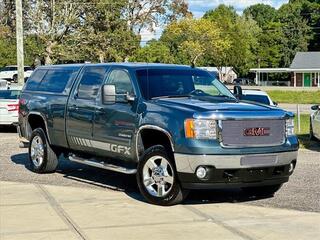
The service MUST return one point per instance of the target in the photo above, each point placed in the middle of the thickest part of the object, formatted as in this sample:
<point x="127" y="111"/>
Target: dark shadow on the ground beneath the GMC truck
<point x="99" y="178"/>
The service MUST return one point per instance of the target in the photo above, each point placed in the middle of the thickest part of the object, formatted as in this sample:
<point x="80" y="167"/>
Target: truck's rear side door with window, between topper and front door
<point x="81" y="107"/>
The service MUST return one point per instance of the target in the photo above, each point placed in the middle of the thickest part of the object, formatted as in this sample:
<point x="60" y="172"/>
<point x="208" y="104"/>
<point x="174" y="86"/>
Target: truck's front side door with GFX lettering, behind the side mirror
<point x="115" y="124"/>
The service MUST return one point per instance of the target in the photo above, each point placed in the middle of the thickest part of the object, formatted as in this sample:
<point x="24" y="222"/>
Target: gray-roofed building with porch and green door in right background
<point x="304" y="71"/>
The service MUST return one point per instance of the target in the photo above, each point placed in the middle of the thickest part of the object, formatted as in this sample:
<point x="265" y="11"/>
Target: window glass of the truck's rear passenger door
<point x="91" y="81"/>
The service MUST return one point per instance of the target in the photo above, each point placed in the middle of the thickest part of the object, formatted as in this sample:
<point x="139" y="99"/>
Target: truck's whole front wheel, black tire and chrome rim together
<point x="157" y="178"/>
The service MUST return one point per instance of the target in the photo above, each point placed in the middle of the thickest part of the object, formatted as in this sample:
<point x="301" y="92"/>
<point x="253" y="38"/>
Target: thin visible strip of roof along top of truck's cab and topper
<point x="126" y="65"/>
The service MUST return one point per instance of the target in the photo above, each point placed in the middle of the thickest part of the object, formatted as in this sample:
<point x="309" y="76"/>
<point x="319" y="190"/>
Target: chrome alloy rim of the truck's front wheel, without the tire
<point x="158" y="176"/>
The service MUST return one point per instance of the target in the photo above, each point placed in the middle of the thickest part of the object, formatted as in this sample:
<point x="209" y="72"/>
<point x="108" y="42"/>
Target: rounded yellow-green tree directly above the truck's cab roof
<point x="154" y="52"/>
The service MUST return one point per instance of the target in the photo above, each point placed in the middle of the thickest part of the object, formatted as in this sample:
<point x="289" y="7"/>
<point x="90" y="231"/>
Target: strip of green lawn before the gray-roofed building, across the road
<point x="301" y="97"/>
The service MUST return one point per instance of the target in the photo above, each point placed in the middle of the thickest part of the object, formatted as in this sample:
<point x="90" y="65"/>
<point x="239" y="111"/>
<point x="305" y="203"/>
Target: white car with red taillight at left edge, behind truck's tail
<point x="9" y="106"/>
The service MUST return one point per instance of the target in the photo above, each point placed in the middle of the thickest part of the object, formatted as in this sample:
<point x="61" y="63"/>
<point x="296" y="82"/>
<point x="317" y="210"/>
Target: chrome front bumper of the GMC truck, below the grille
<point x="186" y="163"/>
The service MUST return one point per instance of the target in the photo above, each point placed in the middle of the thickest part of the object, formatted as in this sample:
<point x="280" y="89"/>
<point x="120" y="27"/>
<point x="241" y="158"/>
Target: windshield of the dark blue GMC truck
<point x="164" y="83"/>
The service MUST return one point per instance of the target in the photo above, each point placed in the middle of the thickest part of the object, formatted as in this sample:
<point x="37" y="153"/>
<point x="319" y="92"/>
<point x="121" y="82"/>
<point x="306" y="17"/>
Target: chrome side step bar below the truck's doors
<point x="103" y="165"/>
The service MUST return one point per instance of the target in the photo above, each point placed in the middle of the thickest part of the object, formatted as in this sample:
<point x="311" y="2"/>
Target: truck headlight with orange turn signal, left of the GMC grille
<point x="200" y="129"/>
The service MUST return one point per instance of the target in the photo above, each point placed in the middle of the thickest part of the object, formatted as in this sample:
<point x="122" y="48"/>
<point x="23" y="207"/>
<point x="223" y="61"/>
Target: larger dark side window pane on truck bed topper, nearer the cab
<point x="55" y="81"/>
